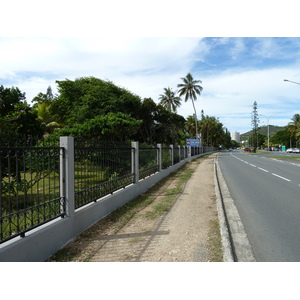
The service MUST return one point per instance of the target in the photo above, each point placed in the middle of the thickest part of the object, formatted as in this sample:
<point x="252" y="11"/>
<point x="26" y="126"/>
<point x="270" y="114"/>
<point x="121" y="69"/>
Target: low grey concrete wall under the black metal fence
<point x="40" y="243"/>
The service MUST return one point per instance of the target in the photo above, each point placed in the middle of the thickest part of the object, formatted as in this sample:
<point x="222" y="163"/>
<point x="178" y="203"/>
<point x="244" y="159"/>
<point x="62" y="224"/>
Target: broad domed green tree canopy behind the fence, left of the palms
<point x="96" y="108"/>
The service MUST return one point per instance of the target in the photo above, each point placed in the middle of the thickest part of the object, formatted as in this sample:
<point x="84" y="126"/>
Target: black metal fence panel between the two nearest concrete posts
<point x="100" y="169"/>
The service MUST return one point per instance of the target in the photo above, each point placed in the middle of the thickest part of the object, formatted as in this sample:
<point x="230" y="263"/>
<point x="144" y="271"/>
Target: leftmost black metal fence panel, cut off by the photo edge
<point x="29" y="186"/>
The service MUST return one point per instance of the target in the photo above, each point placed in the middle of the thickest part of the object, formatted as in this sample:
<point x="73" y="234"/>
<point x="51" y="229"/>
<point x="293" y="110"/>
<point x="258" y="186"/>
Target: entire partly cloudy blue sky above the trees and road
<point x="234" y="72"/>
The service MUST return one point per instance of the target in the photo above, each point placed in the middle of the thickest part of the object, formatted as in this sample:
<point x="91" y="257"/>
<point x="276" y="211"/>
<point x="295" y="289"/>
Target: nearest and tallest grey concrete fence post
<point x="67" y="174"/>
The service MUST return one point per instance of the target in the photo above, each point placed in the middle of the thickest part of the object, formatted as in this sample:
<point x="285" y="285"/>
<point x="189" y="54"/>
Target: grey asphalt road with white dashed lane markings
<point x="266" y="192"/>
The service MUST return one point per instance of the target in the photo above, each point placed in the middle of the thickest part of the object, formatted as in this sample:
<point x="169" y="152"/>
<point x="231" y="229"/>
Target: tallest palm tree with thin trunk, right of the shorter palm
<point x="190" y="88"/>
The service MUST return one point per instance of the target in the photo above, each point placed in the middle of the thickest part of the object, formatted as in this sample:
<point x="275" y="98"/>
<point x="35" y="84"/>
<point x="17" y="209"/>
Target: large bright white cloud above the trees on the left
<point x="144" y="66"/>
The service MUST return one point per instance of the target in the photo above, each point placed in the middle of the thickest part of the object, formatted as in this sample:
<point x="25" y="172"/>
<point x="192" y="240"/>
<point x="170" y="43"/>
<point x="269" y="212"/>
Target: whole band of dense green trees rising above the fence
<point x="89" y="108"/>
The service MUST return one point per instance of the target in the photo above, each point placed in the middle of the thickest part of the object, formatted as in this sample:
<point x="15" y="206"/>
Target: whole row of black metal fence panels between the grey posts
<point x="32" y="179"/>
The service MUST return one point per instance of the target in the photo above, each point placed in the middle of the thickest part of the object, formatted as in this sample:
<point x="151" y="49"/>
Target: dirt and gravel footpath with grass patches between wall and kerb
<point x="176" y="220"/>
